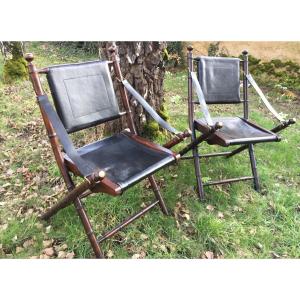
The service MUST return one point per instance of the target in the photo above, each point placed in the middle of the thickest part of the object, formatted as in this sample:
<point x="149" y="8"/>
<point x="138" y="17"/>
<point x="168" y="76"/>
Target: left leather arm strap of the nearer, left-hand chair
<point x="85" y="167"/>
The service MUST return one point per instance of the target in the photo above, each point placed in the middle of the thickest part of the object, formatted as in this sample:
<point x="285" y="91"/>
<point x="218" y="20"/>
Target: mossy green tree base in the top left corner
<point x="14" y="62"/>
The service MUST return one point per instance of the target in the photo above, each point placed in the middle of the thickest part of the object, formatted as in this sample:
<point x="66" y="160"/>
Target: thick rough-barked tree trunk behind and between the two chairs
<point x="142" y="65"/>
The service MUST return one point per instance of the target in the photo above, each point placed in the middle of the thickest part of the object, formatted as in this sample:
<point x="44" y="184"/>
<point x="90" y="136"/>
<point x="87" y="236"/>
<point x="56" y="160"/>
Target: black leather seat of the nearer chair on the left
<point x="126" y="158"/>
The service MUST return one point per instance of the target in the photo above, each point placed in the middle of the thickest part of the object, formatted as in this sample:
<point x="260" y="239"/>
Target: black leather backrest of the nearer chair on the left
<point x="83" y="94"/>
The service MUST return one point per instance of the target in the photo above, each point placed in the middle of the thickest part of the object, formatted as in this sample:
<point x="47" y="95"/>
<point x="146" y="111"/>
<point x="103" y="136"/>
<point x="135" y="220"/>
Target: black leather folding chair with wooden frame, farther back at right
<point x="217" y="81"/>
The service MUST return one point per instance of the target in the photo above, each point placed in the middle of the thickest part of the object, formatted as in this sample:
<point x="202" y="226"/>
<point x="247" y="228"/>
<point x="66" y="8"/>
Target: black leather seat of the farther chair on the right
<point x="236" y="131"/>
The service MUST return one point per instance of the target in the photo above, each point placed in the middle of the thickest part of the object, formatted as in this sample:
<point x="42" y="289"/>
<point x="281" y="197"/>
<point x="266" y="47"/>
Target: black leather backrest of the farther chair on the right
<point x="219" y="78"/>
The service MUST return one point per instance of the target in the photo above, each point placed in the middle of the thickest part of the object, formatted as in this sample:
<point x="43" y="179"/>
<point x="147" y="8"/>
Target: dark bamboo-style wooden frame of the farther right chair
<point x="195" y="152"/>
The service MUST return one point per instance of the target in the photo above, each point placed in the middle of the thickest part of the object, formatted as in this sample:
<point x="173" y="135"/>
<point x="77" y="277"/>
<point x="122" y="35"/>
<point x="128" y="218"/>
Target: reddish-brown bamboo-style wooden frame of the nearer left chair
<point x="95" y="182"/>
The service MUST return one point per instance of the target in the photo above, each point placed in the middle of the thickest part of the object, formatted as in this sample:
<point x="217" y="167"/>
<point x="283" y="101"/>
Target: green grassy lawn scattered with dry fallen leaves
<point x="234" y="222"/>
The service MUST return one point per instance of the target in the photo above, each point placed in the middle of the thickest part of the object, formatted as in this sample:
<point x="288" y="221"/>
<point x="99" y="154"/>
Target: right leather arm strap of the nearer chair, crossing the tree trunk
<point x="148" y="108"/>
